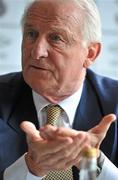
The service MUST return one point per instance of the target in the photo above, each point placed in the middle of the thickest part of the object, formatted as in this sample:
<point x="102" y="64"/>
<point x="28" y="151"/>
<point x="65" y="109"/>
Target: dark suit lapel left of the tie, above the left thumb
<point x="23" y="109"/>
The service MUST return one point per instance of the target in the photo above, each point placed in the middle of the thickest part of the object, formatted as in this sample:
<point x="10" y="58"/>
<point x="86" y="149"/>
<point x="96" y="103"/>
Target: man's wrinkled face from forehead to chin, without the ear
<point x="52" y="51"/>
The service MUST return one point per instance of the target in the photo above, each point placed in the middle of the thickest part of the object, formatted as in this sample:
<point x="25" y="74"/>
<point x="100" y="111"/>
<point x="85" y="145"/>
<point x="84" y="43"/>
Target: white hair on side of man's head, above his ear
<point x="91" y="29"/>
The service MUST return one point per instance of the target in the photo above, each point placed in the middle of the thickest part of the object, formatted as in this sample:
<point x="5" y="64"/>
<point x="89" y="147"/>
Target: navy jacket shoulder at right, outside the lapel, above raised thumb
<point x="106" y="90"/>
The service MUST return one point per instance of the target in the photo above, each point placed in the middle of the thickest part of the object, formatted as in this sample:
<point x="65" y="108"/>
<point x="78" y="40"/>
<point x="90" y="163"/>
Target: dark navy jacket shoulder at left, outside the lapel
<point x="12" y="88"/>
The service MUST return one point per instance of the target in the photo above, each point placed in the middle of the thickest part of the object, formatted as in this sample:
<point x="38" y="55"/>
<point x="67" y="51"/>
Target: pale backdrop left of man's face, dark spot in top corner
<point x="11" y="35"/>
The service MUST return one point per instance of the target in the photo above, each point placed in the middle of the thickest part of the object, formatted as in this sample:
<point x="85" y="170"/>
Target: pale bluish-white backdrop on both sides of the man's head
<point x="10" y="36"/>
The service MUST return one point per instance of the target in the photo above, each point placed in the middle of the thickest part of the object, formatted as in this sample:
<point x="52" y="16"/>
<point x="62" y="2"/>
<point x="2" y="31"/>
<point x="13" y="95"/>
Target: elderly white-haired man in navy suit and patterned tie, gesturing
<point x="61" y="39"/>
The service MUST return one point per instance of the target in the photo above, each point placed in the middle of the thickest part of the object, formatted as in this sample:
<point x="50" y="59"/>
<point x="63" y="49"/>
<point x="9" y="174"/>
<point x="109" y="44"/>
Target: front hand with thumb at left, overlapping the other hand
<point x="43" y="154"/>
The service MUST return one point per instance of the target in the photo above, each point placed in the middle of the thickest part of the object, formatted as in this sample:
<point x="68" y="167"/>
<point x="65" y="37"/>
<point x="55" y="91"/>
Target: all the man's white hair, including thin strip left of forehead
<point x="88" y="17"/>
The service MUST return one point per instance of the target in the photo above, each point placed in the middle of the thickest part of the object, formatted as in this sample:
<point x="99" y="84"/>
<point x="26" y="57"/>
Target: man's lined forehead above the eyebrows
<point x="49" y="11"/>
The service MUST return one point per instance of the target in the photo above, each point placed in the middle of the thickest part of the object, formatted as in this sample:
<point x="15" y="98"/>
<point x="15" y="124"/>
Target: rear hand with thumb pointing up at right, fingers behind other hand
<point x="93" y="137"/>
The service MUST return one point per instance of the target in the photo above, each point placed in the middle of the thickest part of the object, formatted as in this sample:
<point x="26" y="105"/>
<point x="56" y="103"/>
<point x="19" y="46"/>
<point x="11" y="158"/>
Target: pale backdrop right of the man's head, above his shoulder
<point x="107" y="63"/>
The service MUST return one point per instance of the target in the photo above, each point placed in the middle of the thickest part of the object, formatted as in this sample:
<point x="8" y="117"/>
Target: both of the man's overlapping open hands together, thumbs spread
<point x="59" y="148"/>
